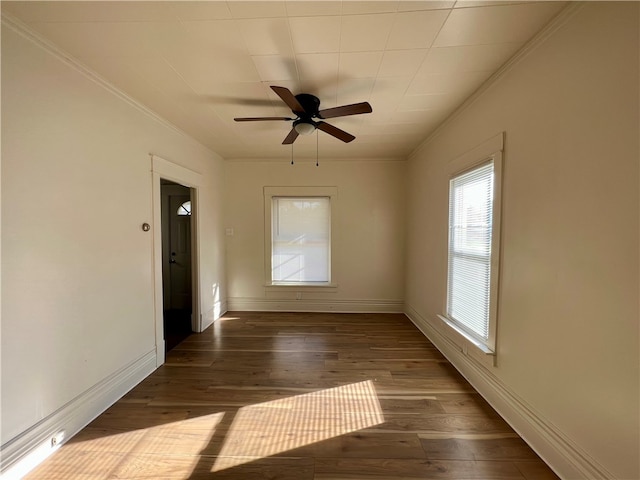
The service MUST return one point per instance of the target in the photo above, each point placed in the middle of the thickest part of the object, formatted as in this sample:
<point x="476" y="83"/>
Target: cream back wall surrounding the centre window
<point x="368" y="235"/>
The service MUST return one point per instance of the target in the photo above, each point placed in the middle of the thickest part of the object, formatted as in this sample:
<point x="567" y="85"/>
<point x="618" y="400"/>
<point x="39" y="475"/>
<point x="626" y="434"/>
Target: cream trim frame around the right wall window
<point x="487" y="151"/>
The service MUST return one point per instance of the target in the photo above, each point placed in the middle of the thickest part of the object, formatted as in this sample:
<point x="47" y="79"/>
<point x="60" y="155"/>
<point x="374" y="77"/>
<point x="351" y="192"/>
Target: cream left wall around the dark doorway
<point x="77" y="270"/>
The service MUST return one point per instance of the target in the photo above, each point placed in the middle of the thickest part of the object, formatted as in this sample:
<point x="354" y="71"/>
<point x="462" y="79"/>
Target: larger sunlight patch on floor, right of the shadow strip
<point x="269" y="428"/>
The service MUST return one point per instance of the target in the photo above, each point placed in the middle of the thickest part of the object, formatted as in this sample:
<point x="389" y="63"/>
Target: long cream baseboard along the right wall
<point x="562" y="454"/>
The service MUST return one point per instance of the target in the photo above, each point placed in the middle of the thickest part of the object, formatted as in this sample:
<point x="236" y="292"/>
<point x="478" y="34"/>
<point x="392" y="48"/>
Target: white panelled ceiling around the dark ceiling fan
<point x="200" y="64"/>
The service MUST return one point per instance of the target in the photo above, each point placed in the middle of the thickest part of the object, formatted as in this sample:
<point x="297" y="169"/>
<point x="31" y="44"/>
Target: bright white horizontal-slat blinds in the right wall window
<point x="470" y="235"/>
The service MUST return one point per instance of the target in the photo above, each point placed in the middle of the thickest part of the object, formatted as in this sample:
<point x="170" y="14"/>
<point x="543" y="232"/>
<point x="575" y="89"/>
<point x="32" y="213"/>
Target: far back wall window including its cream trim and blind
<point x="298" y="236"/>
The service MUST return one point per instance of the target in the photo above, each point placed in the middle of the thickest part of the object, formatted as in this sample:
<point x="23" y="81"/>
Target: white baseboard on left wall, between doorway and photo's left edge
<point x="24" y="452"/>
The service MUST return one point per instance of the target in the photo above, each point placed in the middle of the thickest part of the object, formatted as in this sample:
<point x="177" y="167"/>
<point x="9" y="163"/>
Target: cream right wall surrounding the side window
<point x="568" y="309"/>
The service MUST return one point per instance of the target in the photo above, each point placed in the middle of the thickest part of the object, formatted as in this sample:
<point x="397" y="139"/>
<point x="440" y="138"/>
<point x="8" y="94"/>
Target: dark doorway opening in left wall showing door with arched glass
<point x="177" y="285"/>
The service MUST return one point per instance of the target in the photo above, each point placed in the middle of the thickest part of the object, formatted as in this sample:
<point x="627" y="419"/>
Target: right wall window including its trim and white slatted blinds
<point x="473" y="248"/>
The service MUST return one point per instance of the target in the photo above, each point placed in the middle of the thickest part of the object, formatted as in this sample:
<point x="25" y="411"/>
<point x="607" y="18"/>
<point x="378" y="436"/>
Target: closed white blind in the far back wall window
<point x="301" y="239"/>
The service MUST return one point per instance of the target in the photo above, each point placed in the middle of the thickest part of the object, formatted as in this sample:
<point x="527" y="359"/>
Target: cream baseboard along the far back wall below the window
<point x="262" y="304"/>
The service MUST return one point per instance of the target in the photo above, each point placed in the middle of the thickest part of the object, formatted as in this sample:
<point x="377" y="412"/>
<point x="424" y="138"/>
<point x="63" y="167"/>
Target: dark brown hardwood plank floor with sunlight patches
<point x="300" y="396"/>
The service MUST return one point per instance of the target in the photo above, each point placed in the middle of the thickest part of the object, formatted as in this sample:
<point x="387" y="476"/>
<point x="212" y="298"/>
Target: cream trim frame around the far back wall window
<point x="269" y="193"/>
